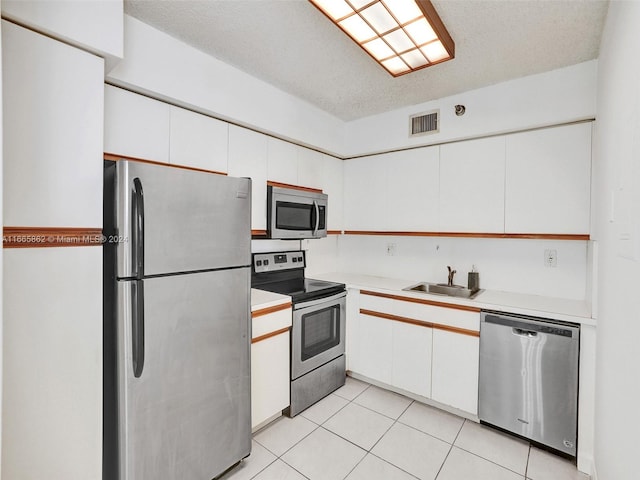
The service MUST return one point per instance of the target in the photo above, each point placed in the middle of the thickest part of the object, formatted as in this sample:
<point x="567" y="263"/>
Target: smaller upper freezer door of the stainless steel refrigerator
<point x="178" y="220"/>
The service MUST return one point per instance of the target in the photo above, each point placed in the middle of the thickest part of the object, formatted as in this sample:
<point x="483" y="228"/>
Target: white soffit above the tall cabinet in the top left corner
<point x="93" y="25"/>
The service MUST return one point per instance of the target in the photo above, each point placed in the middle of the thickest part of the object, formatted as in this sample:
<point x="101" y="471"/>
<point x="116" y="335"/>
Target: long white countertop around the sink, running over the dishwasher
<point x="567" y="310"/>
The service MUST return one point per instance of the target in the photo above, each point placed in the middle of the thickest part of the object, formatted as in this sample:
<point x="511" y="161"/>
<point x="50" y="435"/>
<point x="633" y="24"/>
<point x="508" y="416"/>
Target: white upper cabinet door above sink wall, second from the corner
<point x="412" y="192"/>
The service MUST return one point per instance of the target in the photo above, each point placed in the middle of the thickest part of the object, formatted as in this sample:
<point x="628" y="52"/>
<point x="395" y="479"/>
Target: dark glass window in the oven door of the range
<point x="320" y="331"/>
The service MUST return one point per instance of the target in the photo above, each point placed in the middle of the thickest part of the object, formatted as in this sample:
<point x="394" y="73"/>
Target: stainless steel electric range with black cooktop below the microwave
<point x="318" y="331"/>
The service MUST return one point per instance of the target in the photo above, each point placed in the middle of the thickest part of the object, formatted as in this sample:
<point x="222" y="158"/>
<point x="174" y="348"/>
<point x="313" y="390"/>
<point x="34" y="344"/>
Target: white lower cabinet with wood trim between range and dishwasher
<point x="417" y="347"/>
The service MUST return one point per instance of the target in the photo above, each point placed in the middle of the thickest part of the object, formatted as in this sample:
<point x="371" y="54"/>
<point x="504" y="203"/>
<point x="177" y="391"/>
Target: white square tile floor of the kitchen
<point x="362" y="432"/>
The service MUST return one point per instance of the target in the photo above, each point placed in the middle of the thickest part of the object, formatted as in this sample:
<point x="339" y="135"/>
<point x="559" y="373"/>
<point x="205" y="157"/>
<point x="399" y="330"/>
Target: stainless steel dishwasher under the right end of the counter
<point x="529" y="378"/>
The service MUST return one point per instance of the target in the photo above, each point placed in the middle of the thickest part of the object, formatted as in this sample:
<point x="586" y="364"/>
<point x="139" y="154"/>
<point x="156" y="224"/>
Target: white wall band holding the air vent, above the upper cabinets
<point x="559" y="96"/>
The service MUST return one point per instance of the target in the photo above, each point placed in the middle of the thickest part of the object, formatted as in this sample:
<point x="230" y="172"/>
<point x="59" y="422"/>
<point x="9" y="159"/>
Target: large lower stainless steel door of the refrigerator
<point x="187" y="415"/>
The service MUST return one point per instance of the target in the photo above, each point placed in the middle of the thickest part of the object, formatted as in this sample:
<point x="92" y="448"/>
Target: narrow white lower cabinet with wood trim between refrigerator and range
<point x="269" y="364"/>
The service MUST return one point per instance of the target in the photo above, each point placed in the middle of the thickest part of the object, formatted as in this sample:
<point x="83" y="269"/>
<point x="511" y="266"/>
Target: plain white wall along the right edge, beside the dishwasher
<point x="617" y="229"/>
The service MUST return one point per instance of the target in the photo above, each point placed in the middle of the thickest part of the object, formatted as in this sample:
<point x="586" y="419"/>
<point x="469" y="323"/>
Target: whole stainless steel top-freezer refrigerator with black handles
<point x="177" y="330"/>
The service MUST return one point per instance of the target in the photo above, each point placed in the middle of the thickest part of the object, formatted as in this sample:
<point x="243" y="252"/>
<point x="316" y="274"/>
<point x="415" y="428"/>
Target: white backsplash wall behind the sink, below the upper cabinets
<point x="513" y="265"/>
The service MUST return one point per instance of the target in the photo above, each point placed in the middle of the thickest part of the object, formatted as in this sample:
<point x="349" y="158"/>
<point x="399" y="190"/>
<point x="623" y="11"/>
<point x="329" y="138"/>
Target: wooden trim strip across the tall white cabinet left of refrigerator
<point x="41" y="237"/>
